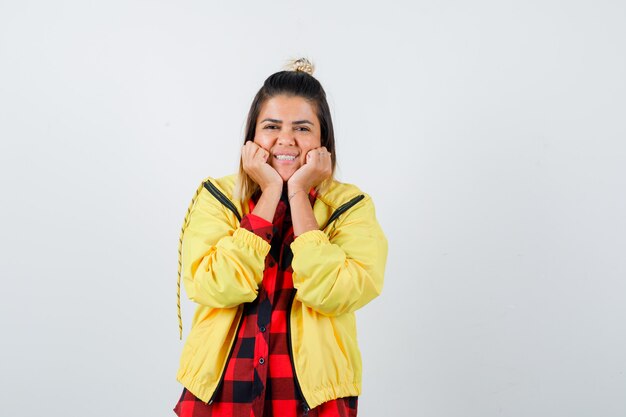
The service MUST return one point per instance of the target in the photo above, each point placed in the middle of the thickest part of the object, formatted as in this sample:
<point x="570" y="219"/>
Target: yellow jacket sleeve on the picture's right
<point x="341" y="274"/>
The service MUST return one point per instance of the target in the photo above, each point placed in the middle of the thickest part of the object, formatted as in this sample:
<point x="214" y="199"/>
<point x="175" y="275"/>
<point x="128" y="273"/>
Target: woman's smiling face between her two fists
<point x="287" y="128"/>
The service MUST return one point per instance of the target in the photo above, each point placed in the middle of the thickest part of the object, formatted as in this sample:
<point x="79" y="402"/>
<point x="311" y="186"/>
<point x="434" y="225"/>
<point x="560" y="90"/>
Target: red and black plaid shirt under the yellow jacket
<point x="259" y="379"/>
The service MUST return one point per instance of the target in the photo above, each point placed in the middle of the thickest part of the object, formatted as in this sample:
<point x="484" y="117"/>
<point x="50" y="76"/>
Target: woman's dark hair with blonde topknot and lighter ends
<point x="296" y="80"/>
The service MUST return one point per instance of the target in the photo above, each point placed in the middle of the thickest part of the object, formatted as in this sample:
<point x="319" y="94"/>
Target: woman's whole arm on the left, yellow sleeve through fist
<point x="223" y="264"/>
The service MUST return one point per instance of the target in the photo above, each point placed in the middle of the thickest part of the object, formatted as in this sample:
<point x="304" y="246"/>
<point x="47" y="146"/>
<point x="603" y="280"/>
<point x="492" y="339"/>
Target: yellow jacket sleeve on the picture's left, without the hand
<point x="222" y="264"/>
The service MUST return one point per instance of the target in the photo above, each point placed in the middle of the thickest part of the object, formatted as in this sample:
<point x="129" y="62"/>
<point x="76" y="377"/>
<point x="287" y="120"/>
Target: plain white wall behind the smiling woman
<point x="491" y="135"/>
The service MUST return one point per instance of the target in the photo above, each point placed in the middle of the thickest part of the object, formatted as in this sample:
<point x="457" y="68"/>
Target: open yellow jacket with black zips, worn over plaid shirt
<point x="336" y="270"/>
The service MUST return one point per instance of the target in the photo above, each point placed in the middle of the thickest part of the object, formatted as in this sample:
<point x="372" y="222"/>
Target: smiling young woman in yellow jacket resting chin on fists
<point x="278" y="258"/>
